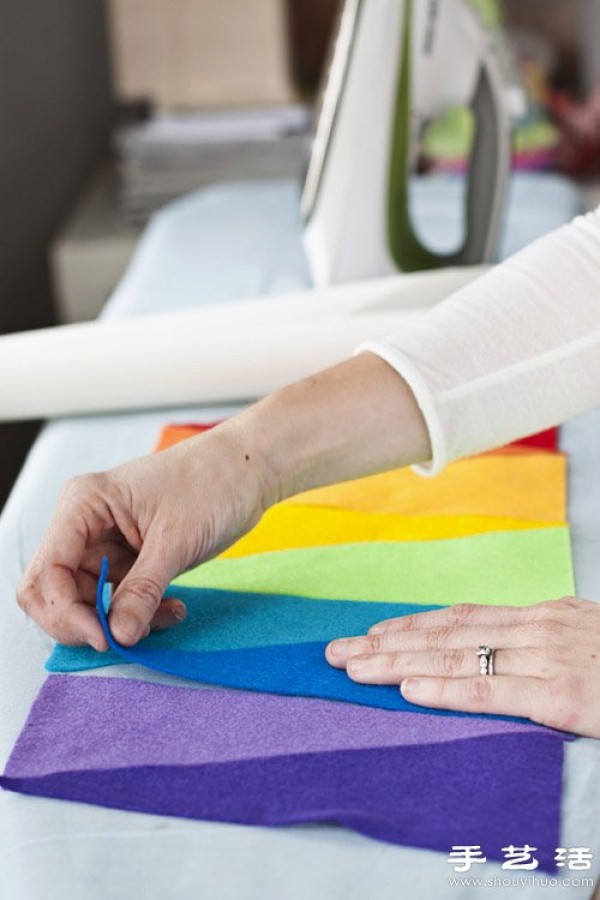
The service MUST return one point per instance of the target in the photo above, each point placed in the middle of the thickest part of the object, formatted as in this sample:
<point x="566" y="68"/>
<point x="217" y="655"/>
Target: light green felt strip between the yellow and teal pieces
<point x="512" y="567"/>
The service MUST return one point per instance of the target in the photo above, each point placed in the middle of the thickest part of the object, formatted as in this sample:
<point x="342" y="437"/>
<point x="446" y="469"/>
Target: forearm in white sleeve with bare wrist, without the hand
<point x="516" y="351"/>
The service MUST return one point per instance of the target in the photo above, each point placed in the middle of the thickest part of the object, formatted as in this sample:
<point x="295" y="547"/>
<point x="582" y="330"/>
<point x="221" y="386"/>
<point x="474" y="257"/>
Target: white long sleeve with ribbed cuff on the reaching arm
<point x="514" y="352"/>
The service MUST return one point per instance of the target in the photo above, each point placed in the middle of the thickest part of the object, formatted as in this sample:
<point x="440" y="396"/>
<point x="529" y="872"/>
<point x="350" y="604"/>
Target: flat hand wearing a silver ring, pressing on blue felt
<point x="547" y="660"/>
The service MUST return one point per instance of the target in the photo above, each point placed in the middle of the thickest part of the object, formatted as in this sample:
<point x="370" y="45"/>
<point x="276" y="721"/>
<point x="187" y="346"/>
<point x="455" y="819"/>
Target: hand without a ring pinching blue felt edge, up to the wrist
<point x="153" y="518"/>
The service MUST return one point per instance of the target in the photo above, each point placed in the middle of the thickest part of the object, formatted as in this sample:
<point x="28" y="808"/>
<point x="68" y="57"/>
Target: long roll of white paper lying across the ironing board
<point x="225" y="353"/>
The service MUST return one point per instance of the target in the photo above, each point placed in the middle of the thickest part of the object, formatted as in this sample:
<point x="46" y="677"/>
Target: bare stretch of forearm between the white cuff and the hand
<point x="354" y="419"/>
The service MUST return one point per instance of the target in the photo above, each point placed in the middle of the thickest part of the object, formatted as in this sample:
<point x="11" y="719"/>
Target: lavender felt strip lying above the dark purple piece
<point x="97" y="723"/>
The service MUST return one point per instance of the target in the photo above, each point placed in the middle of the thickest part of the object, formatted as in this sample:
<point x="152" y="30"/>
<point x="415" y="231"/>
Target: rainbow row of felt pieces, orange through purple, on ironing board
<point x="327" y="563"/>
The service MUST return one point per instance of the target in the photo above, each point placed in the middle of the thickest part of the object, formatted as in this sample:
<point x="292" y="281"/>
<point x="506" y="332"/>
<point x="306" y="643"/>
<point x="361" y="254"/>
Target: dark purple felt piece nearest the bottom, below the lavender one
<point x="488" y="791"/>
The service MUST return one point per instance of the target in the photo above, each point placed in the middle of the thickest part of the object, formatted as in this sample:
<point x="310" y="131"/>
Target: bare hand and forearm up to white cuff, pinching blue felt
<point x="157" y="516"/>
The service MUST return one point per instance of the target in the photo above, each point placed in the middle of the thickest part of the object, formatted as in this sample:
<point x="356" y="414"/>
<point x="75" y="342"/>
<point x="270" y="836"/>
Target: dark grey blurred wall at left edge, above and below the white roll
<point x="55" y="112"/>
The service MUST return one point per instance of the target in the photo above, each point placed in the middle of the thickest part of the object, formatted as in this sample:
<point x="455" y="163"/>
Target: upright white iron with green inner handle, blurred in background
<point x="396" y="65"/>
